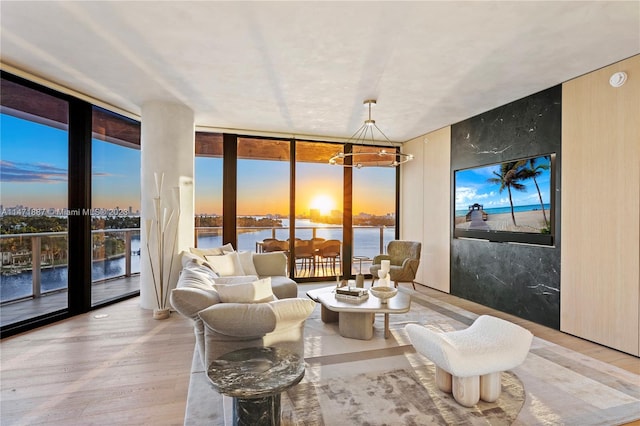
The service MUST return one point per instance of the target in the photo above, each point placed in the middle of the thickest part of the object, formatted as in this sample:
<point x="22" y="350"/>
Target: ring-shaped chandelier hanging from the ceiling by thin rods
<point x="365" y="155"/>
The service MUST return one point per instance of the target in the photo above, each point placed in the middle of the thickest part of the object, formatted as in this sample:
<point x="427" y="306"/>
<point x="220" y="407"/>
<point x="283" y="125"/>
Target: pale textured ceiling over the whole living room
<point x="305" y="68"/>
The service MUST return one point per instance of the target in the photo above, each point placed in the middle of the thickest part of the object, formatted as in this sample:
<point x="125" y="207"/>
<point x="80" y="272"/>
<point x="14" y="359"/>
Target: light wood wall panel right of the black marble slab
<point x="600" y="277"/>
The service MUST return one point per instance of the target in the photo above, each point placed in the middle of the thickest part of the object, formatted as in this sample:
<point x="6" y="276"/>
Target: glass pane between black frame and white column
<point x="115" y="202"/>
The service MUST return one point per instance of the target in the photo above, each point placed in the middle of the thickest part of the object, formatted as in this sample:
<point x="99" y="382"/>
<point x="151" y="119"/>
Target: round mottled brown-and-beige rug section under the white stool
<point x="397" y="397"/>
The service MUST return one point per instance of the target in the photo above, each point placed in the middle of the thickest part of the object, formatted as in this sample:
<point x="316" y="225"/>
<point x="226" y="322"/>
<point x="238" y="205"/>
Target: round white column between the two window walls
<point x="167" y="147"/>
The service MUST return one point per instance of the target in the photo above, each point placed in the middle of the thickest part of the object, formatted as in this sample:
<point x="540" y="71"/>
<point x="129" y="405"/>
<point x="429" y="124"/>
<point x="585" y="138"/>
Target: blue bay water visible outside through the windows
<point x="366" y="243"/>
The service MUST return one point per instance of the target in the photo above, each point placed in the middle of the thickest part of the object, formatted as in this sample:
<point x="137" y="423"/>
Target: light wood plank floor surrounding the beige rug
<point x="118" y="366"/>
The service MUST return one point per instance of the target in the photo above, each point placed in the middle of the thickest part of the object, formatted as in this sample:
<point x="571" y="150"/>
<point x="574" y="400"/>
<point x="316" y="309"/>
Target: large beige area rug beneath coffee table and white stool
<point x="384" y="381"/>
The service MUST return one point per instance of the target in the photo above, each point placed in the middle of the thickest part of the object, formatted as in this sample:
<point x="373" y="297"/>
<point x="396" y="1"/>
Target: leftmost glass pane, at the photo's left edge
<point x="34" y="152"/>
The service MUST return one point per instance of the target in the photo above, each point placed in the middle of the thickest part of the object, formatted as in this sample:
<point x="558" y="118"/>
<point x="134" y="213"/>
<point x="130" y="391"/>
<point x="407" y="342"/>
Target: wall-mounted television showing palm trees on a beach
<point x="511" y="201"/>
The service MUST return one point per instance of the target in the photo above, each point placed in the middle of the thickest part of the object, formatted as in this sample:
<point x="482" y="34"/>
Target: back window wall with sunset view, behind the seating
<point x="341" y="217"/>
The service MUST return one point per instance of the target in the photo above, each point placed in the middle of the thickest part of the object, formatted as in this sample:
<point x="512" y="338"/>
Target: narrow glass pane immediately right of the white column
<point x="208" y="190"/>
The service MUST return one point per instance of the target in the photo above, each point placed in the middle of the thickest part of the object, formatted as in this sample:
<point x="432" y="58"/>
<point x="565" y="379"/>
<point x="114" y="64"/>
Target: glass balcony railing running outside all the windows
<point x="25" y="257"/>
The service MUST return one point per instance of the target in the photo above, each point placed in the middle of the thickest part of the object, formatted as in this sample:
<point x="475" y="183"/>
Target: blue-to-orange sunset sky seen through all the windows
<point x="35" y="164"/>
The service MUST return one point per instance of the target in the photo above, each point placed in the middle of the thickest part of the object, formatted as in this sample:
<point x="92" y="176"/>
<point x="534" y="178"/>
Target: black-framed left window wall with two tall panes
<point x="69" y="201"/>
